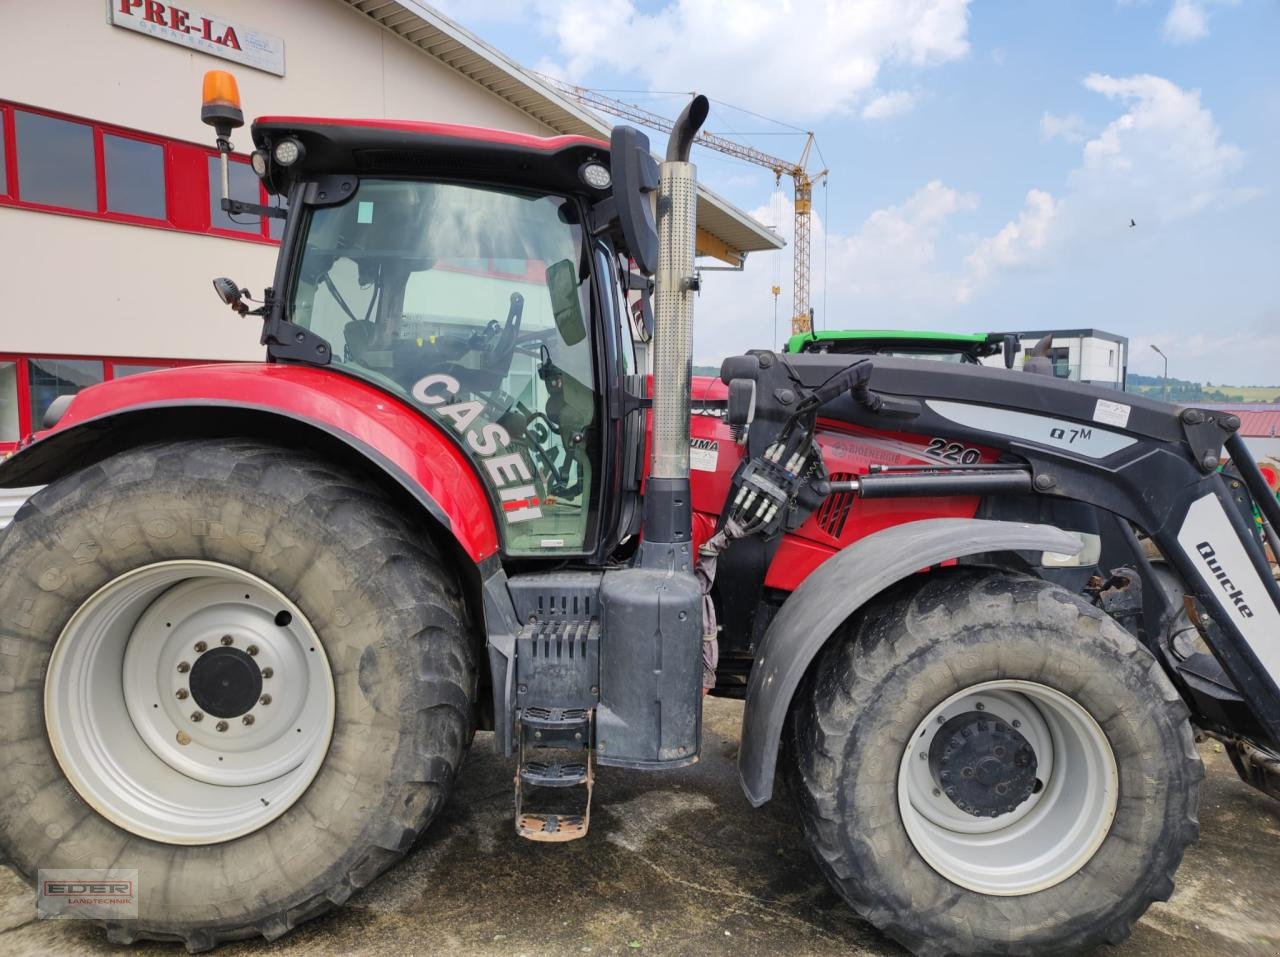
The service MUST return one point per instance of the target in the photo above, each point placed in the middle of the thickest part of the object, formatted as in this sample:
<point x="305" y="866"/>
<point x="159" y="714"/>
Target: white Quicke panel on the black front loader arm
<point x="1224" y="566"/>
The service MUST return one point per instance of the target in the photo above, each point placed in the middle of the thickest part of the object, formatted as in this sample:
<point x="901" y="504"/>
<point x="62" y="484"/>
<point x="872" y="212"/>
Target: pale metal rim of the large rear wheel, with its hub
<point x="136" y="708"/>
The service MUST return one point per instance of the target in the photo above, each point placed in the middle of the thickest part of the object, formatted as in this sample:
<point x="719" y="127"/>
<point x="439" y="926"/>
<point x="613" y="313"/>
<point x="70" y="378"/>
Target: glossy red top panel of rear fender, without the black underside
<point x="369" y="419"/>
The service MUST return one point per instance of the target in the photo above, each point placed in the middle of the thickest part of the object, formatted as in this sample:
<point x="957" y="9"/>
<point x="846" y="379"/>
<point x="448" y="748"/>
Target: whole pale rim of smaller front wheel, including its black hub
<point x="1008" y="787"/>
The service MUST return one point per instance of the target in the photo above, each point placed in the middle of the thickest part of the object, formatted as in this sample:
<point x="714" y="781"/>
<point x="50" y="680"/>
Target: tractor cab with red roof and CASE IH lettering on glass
<point x="478" y="278"/>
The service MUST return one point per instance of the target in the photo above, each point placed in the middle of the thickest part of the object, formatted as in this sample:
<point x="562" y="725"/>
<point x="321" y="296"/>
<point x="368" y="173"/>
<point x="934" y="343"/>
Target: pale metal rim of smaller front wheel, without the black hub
<point x="1053" y="832"/>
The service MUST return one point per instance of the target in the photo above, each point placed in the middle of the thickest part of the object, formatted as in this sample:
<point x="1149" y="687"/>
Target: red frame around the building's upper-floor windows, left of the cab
<point x="186" y="173"/>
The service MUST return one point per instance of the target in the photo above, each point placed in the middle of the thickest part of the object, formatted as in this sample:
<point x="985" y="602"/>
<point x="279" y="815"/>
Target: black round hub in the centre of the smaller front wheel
<point x="982" y="764"/>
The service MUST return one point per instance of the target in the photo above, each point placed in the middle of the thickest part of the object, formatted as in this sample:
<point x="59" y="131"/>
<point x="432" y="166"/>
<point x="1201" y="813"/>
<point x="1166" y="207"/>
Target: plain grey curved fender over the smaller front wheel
<point x="839" y="588"/>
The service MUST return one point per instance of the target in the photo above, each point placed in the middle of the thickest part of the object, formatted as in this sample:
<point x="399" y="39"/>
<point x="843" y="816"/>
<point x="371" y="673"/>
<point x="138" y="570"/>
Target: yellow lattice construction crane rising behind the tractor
<point x="804" y="181"/>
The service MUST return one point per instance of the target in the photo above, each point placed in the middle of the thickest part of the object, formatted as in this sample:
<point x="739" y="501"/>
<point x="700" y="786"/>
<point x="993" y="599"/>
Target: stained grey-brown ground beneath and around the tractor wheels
<point x="680" y="864"/>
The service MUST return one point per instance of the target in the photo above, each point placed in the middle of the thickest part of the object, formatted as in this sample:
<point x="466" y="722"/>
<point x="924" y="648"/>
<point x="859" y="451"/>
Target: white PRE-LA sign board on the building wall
<point x="202" y="31"/>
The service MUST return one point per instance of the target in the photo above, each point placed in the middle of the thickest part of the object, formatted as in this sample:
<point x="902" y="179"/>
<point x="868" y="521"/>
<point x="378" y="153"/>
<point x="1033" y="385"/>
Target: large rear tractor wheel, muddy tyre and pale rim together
<point x="231" y="668"/>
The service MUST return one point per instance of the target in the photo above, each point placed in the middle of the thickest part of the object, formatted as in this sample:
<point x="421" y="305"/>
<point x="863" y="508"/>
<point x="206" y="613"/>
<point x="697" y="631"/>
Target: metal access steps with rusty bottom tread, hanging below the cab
<point x="556" y="773"/>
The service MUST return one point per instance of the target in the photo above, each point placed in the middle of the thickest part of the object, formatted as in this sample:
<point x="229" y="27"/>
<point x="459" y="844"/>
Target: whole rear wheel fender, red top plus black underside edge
<point x="285" y="401"/>
